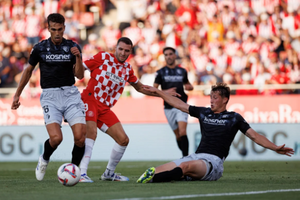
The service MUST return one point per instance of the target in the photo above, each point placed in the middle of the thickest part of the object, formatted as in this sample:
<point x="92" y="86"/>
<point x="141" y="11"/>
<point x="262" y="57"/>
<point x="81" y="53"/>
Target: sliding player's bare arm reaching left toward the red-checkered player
<point x="173" y="101"/>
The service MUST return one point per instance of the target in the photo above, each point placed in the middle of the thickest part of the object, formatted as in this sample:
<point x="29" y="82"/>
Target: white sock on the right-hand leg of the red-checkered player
<point x="115" y="157"/>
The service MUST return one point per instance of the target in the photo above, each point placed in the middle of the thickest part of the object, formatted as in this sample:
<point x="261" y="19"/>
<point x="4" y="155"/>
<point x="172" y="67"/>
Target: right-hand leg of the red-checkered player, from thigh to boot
<point x="117" y="132"/>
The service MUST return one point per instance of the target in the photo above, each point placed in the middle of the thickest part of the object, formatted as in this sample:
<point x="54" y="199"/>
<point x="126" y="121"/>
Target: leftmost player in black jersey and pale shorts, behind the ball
<point x="59" y="60"/>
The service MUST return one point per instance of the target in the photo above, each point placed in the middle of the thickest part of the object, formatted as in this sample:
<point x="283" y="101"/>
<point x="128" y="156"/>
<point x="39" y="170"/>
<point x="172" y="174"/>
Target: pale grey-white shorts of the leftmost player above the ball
<point x="64" y="102"/>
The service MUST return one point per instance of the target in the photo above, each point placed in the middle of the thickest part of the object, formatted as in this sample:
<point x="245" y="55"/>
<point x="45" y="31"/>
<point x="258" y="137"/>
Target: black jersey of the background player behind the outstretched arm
<point x="169" y="78"/>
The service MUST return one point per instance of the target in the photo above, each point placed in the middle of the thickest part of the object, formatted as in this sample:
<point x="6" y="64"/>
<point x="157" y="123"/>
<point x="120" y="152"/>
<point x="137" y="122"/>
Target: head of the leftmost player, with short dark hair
<point x="56" y="27"/>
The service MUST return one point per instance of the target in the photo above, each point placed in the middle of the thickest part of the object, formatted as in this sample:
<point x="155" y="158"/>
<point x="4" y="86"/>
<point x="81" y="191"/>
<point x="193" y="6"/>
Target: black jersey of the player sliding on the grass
<point x="218" y="130"/>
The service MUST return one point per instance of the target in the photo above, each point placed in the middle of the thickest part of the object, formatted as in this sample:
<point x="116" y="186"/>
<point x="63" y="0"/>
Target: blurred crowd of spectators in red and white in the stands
<point x="254" y="42"/>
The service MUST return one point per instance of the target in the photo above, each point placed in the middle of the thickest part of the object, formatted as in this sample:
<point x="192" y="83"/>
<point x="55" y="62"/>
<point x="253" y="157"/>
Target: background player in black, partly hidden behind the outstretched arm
<point x="173" y="78"/>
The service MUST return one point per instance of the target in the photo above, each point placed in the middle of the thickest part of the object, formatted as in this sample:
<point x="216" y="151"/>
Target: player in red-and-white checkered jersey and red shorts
<point x="109" y="74"/>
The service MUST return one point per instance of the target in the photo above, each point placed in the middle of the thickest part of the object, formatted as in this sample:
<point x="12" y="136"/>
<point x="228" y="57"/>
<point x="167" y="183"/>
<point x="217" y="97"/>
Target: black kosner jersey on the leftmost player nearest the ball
<point x="55" y="61"/>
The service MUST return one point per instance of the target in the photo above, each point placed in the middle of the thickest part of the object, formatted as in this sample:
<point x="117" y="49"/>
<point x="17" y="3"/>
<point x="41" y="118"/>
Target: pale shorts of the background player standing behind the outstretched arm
<point x="174" y="116"/>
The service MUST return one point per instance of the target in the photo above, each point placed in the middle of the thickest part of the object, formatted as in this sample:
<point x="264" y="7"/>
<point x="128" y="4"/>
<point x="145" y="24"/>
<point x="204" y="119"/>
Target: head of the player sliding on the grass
<point x="219" y="97"/>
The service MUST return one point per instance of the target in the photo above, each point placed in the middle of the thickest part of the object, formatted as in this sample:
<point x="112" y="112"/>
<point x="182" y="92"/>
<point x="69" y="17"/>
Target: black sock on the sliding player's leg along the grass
<point x="167" y="176"/>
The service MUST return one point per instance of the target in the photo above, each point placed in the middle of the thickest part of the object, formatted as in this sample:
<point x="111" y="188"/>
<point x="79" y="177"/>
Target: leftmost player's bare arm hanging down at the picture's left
<point x="23" y="81"/>
